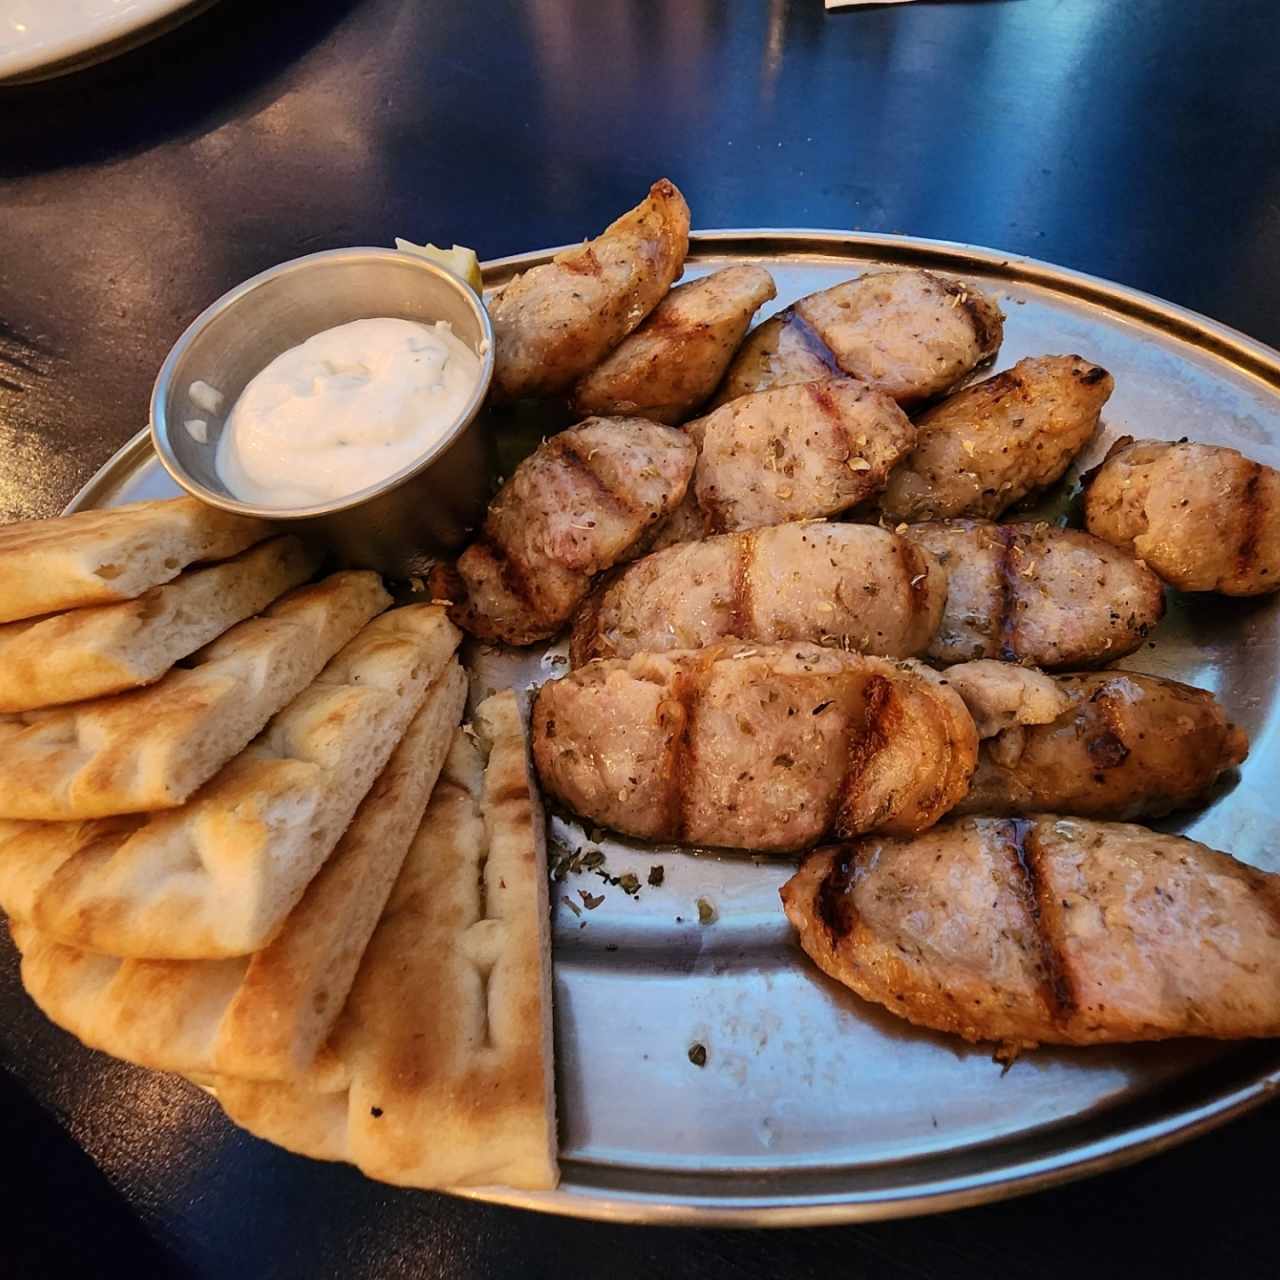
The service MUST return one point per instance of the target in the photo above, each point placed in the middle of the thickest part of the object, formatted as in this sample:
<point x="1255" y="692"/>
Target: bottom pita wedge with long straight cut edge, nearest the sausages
<point x="446" y="1040"/>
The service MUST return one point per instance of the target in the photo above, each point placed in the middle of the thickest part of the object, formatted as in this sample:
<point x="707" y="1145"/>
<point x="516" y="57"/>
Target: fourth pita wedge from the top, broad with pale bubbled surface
<point x="220" y="876"/>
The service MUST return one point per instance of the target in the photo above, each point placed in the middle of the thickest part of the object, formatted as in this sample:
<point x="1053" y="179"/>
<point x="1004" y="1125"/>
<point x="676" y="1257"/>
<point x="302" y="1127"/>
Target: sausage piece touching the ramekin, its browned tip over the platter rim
<point x="554" y="323"/>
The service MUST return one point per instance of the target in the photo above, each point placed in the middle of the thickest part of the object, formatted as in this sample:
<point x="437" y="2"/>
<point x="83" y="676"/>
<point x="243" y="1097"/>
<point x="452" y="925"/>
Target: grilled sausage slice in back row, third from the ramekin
<point x="908" y="333"/>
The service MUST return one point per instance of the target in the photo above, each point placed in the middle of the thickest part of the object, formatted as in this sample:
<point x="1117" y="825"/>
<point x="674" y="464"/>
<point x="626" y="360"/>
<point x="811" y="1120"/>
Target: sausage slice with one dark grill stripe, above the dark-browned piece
<point x="1032" y="593"/>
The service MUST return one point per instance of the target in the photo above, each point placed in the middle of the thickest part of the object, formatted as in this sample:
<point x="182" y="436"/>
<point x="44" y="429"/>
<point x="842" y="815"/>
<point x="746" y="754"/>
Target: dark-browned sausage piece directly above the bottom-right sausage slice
<point x="1124" y="747"/>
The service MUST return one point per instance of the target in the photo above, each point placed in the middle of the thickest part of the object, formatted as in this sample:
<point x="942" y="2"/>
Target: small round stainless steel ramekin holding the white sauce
<point x="408" y="520"/>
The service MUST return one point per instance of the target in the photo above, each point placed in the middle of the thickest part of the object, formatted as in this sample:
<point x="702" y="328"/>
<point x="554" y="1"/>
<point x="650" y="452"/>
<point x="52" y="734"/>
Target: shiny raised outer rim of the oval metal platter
<point x="1126" y="1144"/>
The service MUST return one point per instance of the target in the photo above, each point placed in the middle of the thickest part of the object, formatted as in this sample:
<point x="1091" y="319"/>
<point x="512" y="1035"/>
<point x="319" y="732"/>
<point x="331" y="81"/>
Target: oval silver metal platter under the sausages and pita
<point x="813" y="1107"/>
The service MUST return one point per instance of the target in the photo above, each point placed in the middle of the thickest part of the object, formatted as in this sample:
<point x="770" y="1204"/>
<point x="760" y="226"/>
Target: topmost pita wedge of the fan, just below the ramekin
<point x="95" y="557"/>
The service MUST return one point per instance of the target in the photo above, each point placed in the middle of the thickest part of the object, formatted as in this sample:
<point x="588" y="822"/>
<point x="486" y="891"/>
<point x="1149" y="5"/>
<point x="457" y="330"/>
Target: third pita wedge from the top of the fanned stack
<point x="152" y="748"/>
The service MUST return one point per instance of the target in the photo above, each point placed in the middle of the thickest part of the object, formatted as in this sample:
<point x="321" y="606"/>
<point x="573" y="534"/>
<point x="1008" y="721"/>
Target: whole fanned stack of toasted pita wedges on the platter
<point x="244" y="838"/>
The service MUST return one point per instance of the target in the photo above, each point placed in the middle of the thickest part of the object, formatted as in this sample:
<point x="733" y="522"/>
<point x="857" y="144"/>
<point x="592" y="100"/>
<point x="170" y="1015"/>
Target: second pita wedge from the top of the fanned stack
<point x="104" y="650"/>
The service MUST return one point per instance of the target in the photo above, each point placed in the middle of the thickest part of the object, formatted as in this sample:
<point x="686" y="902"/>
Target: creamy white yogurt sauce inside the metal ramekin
<point x="345" y="410"/>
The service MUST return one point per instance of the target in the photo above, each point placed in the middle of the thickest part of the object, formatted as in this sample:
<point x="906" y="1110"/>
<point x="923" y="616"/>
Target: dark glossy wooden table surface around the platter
<point x="1135" y="141"/>
